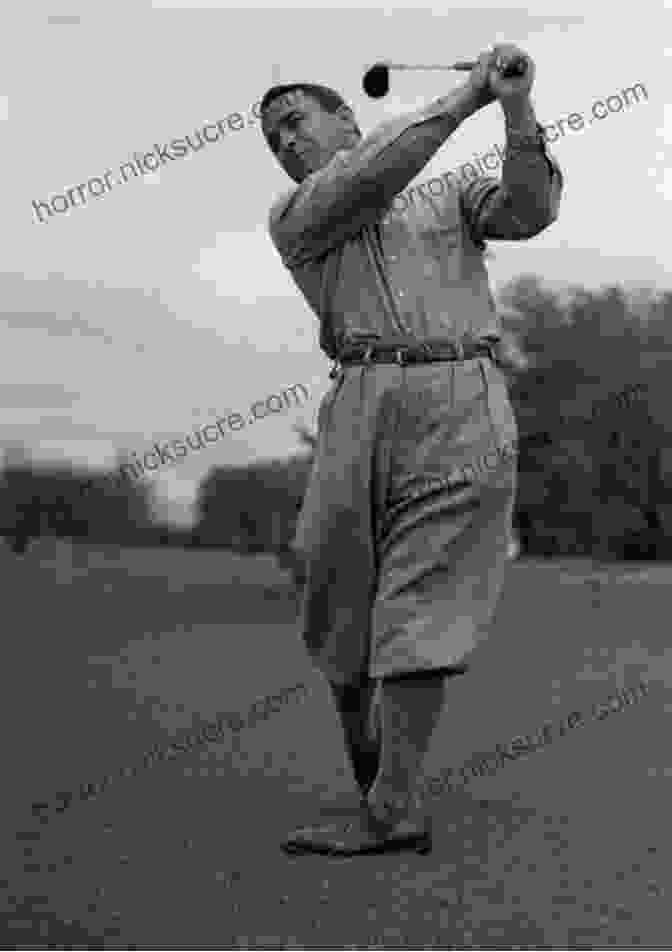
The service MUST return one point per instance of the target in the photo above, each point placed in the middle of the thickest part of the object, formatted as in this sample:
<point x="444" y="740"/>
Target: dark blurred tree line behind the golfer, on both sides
<point x="587" y="376"/>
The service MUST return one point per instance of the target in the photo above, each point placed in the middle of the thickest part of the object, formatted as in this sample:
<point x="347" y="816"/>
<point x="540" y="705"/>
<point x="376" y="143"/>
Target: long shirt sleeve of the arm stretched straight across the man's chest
<point x="355" y="188"/>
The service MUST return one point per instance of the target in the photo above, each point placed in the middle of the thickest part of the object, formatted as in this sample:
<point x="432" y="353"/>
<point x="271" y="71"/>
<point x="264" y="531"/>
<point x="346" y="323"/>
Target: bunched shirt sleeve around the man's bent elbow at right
<point x="522" y="204"/>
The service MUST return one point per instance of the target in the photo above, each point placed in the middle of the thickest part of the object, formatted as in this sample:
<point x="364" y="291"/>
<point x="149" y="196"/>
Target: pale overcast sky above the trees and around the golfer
<point x="162" y="304"/>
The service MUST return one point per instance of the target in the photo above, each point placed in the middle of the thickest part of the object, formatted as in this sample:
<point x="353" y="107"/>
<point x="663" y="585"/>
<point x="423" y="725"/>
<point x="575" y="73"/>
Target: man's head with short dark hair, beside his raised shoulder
<point x="303" y="136"/>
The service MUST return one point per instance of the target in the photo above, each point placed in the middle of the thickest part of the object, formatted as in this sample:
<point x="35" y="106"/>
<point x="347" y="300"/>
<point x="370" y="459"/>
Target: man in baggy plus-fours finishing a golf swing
<point x="404" y="556"/>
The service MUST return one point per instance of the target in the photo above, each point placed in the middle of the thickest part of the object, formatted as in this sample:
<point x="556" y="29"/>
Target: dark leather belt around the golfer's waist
<point x="417" y="352"/>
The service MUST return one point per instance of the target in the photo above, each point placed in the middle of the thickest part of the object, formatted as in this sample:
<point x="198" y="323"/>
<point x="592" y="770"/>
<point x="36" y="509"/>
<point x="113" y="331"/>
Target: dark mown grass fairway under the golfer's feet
<point x="108" y="652"/>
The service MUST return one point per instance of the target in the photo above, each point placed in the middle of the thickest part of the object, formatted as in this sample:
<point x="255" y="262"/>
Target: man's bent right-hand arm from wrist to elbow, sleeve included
<point x="527" y="199"/>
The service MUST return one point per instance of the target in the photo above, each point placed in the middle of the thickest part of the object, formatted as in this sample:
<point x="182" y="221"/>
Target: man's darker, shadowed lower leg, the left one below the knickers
<point x="353" y="703"/>
